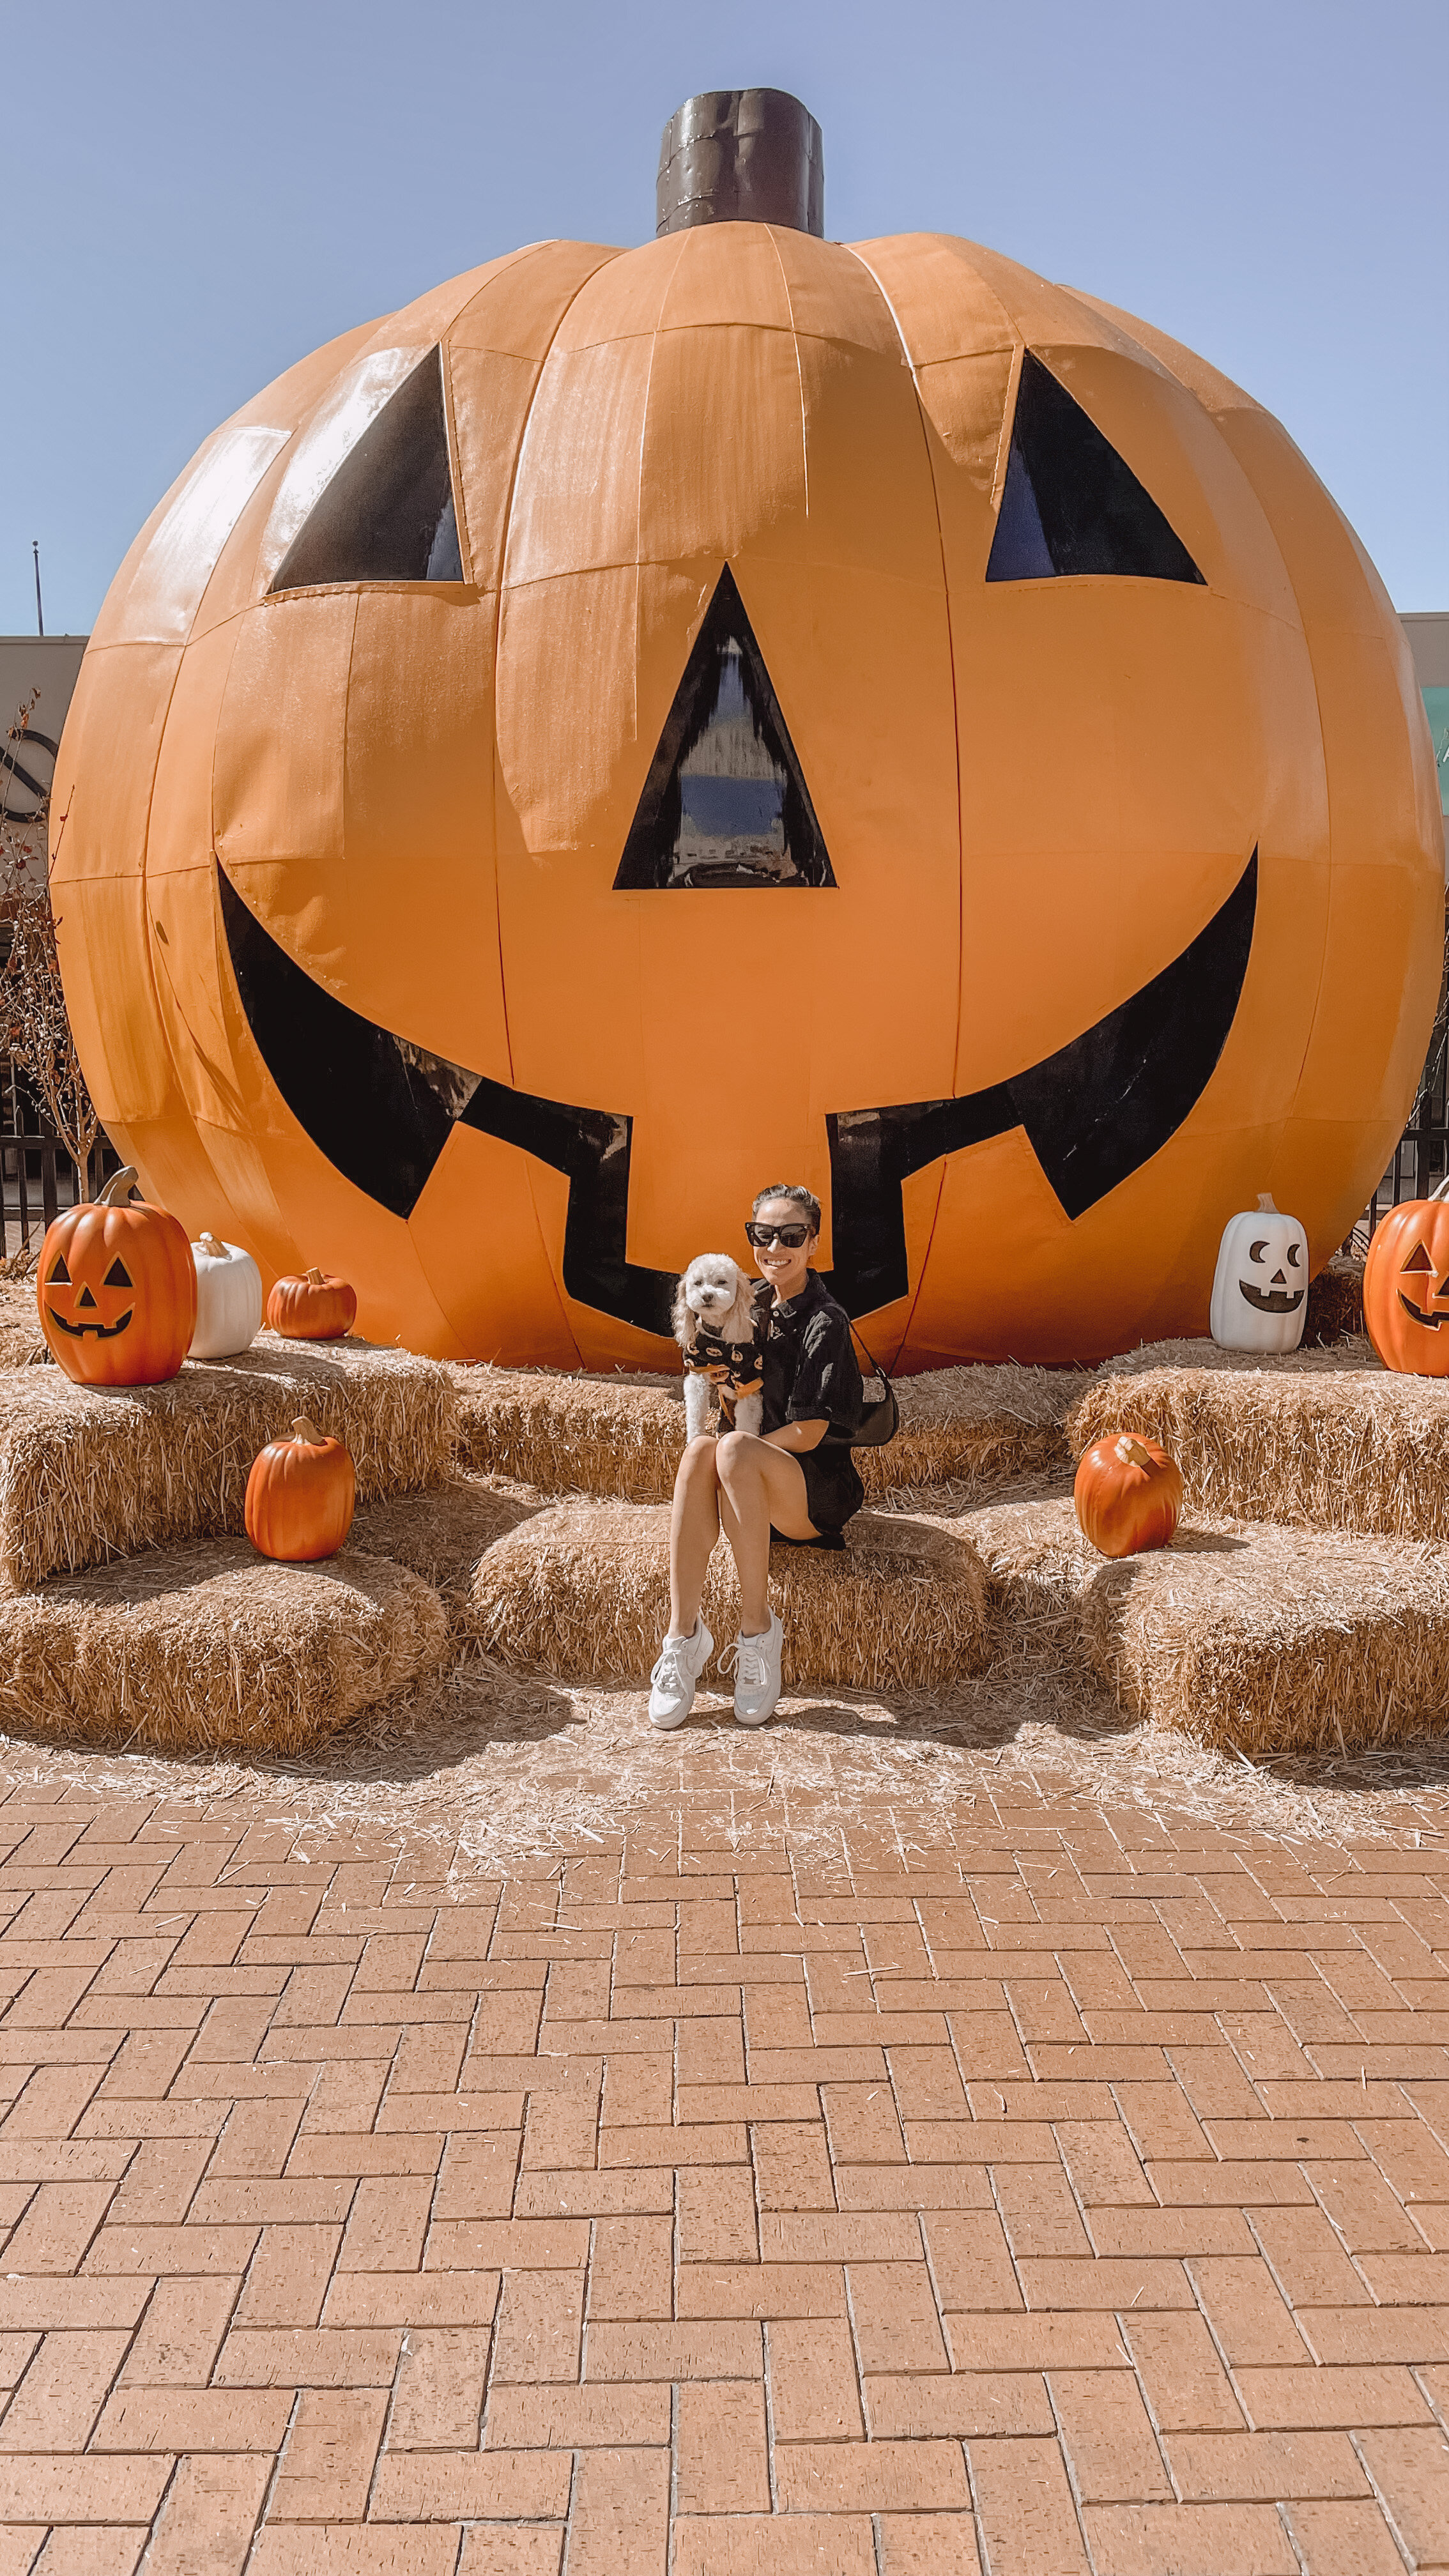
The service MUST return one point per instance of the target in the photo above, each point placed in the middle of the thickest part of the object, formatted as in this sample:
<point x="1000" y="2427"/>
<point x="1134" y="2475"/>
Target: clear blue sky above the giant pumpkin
<point x="197" y="194"/>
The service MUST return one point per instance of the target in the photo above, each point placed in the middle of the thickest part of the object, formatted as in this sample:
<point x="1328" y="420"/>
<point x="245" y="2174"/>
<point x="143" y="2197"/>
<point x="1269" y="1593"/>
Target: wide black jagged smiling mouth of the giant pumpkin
<point x="383" y="1109"/>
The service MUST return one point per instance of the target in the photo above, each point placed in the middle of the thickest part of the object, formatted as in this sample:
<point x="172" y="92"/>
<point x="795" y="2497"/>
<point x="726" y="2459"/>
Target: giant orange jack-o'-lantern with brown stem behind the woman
<point x="460" y="715"/>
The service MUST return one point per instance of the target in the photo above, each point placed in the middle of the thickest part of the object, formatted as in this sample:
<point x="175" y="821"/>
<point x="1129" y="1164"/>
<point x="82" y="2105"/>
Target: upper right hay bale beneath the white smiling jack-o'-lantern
<point x="1316" y="1439"/>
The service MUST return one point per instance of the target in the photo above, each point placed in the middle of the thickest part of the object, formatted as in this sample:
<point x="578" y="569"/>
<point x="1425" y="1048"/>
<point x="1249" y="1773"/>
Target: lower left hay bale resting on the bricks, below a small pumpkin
<point x="210" y="1647"/>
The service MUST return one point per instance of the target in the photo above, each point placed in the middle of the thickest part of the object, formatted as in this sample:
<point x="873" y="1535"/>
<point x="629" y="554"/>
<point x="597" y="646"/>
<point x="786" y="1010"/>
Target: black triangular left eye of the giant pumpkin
<point x="388" y="514"/>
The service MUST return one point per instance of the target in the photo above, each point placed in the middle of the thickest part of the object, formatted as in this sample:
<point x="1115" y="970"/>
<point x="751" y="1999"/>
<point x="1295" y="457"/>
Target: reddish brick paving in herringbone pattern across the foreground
<point x="1066" y="2191"/>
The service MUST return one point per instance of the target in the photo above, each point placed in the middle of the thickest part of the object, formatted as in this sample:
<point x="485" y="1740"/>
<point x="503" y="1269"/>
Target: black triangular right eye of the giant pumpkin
<point x="1071" y="504"/>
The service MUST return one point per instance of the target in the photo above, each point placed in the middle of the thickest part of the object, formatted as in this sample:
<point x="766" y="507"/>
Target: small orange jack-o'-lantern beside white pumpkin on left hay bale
<point x="117" y="1289"/>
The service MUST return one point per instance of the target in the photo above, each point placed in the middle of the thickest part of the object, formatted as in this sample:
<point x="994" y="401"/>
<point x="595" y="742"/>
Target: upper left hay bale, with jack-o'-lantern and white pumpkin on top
<point x="97" y="1472"/>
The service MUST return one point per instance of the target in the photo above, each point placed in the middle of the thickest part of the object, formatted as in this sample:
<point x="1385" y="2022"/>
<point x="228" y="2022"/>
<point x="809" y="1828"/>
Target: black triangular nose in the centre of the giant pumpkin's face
<point x="726" y="800"/>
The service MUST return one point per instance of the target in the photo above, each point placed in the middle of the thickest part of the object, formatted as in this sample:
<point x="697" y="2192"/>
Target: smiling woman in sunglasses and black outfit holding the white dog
<point x="793" y="1482"/>
